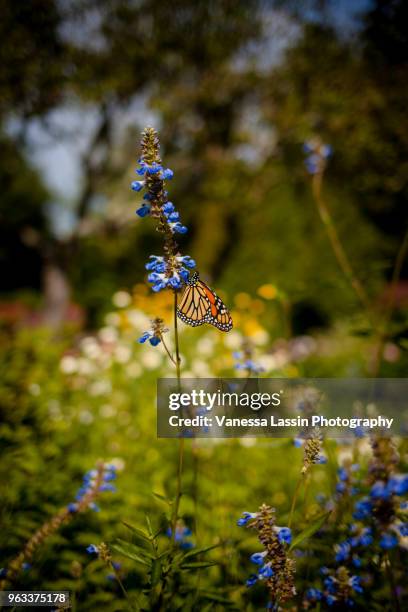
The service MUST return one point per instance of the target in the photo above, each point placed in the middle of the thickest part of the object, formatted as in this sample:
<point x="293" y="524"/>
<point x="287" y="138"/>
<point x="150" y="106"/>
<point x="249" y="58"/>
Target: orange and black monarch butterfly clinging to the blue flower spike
<point x="199" y="304"/>
